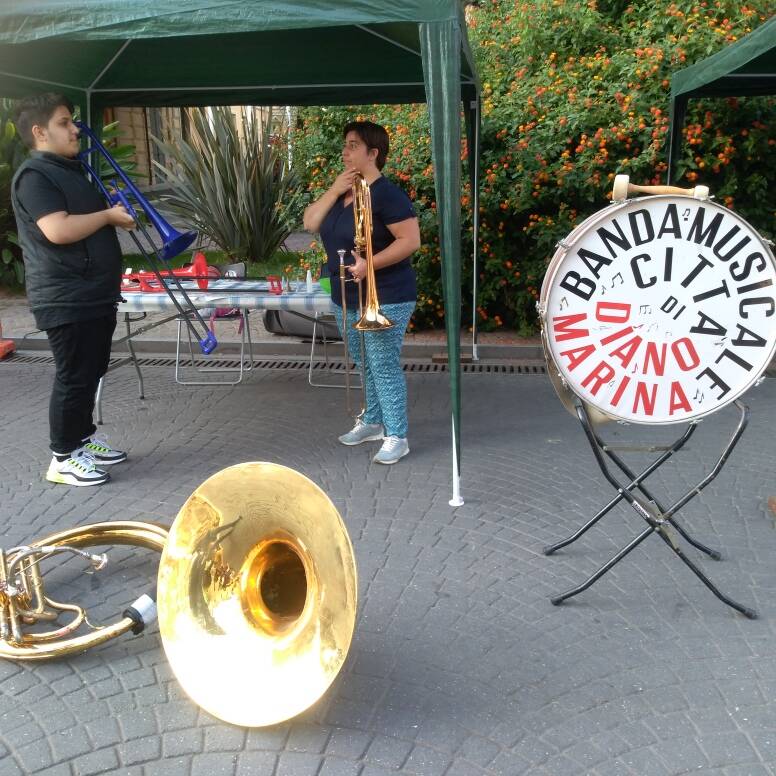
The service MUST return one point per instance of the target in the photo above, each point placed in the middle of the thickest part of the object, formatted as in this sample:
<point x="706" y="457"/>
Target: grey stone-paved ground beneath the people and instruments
<point x="460" y="665"/>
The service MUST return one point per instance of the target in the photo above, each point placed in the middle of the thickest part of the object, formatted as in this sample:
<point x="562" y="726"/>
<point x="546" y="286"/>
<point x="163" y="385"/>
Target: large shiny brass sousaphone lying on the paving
<point x="256" y="594"/>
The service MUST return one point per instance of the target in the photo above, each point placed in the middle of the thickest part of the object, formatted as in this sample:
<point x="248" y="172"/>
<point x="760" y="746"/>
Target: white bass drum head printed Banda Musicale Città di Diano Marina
<point x="659" y="310"/>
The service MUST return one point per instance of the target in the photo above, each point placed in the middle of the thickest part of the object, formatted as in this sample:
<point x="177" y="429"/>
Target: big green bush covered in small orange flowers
<point x="572" y="95"/>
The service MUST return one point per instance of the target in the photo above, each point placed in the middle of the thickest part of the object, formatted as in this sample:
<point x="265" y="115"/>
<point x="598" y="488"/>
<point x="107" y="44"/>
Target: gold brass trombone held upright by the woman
<point x="371" y="317"/>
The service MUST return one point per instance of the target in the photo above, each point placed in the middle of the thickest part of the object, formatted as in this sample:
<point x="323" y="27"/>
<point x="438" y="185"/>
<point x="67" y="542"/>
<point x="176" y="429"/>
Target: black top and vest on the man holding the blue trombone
<point x="65" y="283"/>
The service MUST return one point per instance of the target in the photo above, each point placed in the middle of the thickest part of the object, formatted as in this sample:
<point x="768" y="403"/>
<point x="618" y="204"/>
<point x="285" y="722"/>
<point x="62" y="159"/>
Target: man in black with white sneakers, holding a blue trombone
<point x="72" y="261"/>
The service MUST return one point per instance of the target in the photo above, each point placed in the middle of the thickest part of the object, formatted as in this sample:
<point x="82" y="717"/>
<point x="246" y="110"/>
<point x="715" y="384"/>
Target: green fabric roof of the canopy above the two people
<point x="208" y="52"/>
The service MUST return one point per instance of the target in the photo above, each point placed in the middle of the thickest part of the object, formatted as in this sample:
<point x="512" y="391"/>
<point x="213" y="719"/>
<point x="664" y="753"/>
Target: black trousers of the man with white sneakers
<point x="81" y="353"/>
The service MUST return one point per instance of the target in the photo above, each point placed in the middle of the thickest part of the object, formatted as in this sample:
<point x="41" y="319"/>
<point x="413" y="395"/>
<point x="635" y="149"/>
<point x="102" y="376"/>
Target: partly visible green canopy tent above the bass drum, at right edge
<point x="746" y="68"/>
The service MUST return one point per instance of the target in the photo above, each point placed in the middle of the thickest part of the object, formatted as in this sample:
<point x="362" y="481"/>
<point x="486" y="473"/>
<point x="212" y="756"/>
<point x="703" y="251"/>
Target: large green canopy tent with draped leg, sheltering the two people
<point x="108" y="53"/>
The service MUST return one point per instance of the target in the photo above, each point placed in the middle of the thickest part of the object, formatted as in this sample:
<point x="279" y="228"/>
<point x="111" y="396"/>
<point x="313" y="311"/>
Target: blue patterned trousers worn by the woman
<point x="386" y="386"/>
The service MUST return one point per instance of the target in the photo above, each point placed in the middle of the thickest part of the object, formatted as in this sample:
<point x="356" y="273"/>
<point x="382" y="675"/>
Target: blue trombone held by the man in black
<point x="173" y="241"/>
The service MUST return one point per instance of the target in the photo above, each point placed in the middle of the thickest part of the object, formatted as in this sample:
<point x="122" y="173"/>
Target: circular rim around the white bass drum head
<point x="565" y="245"/>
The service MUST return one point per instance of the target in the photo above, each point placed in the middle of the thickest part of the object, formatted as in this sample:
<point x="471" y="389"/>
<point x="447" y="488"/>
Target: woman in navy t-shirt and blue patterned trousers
<point x="395" y="237"/>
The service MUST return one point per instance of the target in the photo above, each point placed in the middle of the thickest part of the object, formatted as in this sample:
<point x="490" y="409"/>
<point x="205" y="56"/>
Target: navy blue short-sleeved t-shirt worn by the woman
<point x="390" y="205"/>
